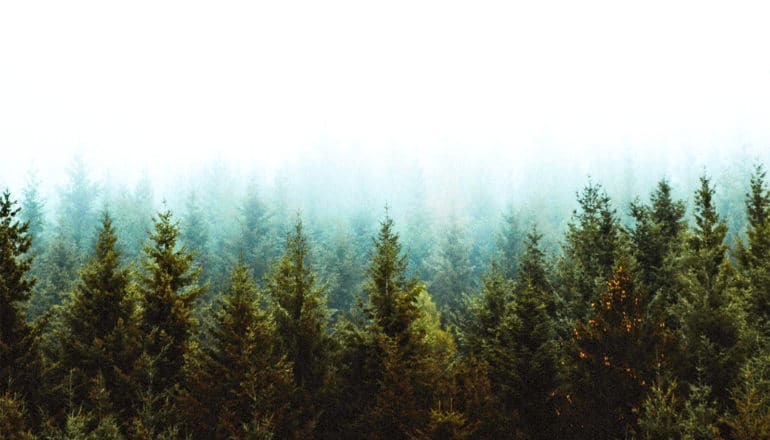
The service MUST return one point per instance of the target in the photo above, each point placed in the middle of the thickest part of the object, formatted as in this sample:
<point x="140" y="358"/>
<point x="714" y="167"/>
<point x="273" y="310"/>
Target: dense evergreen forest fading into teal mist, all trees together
<point x="657" y="328"/>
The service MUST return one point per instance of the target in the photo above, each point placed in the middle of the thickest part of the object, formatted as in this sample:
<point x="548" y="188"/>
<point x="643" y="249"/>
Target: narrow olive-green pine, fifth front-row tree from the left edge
<point x="299" y="310"/>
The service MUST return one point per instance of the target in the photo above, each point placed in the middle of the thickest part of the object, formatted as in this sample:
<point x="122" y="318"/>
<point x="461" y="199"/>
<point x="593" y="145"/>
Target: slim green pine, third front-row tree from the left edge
<point x="168" y="288"/>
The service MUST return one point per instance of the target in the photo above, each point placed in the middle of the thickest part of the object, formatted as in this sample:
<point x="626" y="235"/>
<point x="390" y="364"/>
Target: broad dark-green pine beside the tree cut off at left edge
<point x="99" y="338"/>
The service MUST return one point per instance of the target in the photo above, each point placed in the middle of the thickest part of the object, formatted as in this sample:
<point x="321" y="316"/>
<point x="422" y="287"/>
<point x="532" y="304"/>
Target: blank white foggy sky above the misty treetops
<point x="135" y="84"/>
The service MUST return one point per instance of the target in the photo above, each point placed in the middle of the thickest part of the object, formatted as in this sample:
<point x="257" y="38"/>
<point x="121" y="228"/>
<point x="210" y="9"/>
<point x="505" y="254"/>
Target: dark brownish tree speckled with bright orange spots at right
<point x="615" y="355"/>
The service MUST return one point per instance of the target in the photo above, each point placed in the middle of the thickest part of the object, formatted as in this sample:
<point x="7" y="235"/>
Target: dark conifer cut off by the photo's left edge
<point x="20" y="358"/>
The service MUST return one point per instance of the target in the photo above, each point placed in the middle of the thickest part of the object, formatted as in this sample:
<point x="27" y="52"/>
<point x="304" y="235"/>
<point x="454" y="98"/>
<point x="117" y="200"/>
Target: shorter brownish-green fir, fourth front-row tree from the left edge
<point x="239" y="377"/>
